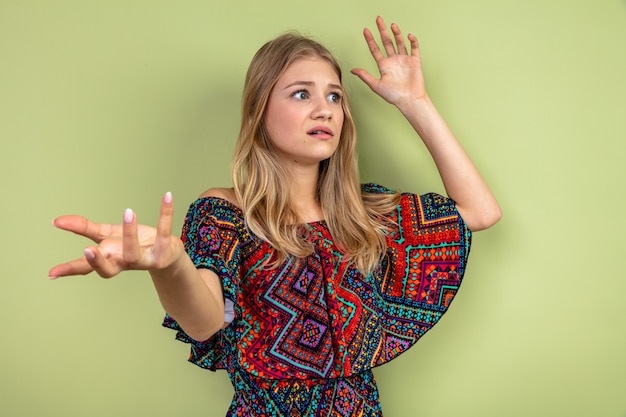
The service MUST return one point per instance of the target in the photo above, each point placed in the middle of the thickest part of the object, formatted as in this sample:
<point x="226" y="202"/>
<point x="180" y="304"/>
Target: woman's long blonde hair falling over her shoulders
<point x="354" y="219"/>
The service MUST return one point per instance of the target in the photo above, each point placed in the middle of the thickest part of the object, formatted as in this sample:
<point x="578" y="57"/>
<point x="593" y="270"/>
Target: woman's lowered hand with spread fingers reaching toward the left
<point x="120" y="247"/>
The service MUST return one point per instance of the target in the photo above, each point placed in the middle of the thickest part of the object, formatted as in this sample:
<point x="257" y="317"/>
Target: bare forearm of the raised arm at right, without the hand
<point x="462" y="181"/>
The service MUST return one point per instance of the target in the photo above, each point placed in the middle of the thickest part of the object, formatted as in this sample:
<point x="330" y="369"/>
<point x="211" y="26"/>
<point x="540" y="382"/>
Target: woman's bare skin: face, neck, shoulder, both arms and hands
<point x="194" y="297"/>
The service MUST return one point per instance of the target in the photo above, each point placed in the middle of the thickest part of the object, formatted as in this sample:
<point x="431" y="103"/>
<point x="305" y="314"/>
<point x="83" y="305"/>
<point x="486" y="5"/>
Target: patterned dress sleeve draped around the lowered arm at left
<point x="212" y="239"/>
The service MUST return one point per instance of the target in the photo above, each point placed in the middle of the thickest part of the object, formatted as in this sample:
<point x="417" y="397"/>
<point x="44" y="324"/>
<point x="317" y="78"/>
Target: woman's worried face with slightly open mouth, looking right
<point x="304" y="115"/>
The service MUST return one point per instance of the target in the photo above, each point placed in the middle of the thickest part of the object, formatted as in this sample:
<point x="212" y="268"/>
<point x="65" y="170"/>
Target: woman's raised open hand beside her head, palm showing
<point x="401" y="80"/>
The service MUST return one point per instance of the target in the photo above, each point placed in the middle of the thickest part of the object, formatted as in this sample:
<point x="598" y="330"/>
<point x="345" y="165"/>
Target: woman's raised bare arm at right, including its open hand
<point x="401" y="83"/>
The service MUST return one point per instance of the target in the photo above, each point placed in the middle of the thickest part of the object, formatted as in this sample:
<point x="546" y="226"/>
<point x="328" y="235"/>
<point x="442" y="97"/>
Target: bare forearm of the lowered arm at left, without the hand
<point x="192" y="297"/>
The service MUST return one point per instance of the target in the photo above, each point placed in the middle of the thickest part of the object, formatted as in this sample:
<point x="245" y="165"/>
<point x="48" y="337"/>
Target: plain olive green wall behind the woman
<point x="108" y="104"/>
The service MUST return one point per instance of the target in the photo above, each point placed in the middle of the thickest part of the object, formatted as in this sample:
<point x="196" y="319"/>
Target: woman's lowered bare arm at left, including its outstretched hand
<point x="192" y="297"/>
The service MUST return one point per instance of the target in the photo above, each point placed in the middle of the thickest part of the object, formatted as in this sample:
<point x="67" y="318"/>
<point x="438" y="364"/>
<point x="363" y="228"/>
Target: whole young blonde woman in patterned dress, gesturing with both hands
<point x="299" y="280"/>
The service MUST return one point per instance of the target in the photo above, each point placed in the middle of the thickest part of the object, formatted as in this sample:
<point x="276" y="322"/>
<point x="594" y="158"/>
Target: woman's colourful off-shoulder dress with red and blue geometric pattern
<point x="307" y="334"/>
